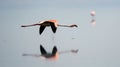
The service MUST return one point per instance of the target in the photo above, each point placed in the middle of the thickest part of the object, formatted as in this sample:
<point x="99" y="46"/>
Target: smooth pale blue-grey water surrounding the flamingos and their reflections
<point x="98" y="45"/>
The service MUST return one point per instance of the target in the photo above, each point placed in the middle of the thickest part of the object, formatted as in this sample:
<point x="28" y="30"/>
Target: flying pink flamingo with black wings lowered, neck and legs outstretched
<point x="53" y="23"/>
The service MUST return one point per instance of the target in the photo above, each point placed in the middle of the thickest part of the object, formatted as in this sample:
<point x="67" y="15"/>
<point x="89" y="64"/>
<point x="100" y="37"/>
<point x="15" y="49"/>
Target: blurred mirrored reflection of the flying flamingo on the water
<point x="54" y="55"/>
